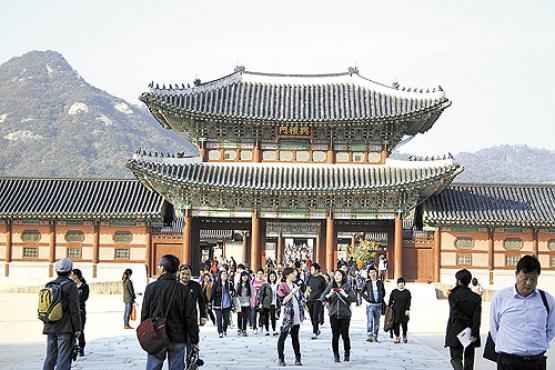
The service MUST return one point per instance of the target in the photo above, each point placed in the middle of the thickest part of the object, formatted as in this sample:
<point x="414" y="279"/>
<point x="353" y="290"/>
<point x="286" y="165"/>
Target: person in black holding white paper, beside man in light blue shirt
<point x="465" y="309"/>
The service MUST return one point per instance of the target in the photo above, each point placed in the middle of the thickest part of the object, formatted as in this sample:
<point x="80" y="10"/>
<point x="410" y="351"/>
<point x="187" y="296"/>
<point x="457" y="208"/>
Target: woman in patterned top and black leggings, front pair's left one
<point x="293" y="315"/>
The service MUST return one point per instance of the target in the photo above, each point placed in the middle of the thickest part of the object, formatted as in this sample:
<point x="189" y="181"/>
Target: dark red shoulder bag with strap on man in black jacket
<point x="152" y="333"/>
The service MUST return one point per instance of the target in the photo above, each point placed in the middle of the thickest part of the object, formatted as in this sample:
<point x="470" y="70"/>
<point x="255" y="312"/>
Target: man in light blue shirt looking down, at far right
<point x="522" y="322"/>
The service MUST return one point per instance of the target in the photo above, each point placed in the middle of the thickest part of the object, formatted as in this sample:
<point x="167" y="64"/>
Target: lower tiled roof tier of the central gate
<point x="297" y="177"/>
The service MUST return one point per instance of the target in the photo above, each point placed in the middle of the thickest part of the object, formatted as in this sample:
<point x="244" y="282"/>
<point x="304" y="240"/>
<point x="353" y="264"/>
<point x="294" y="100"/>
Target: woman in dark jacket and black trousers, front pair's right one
<point x="340" y="297"/>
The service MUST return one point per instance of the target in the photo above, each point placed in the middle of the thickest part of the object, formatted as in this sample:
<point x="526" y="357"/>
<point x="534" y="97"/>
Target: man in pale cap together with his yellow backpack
<point x="59" y="310"/>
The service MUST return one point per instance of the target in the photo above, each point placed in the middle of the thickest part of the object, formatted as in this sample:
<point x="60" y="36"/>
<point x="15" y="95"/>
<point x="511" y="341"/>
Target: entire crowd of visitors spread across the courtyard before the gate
<point x="233" y="296"/>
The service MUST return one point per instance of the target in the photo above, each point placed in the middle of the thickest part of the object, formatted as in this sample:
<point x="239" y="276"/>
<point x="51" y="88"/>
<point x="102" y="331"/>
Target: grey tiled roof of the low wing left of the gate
<point x="57" y="198"/>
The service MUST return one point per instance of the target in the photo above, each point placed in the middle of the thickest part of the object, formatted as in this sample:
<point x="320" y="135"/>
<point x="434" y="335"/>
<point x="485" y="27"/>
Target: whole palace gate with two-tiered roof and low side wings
<point x="286" y="165"/>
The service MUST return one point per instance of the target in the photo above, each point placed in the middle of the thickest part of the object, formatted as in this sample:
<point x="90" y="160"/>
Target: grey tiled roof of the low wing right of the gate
<point x="493" y="204"/>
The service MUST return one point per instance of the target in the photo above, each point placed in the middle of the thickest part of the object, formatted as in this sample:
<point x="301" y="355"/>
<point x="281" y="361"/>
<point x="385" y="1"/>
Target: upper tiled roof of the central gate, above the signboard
<point x="258" y="96"/>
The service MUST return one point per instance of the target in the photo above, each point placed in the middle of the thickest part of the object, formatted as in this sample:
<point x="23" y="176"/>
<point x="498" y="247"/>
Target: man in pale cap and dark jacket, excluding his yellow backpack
<point x="62" y="333"/>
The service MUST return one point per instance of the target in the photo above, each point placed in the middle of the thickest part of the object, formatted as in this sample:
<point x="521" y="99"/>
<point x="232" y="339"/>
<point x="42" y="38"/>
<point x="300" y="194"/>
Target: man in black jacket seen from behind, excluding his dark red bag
<point x="167" y="295"/>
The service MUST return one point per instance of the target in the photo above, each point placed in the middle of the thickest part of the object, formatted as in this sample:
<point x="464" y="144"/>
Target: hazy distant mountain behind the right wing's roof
<point x="508" y="163"/>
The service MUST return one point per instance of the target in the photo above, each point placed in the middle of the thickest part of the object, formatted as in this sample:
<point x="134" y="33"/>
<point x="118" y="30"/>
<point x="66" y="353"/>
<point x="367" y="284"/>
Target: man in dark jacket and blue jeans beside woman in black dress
<point x="374" y="294"/>
